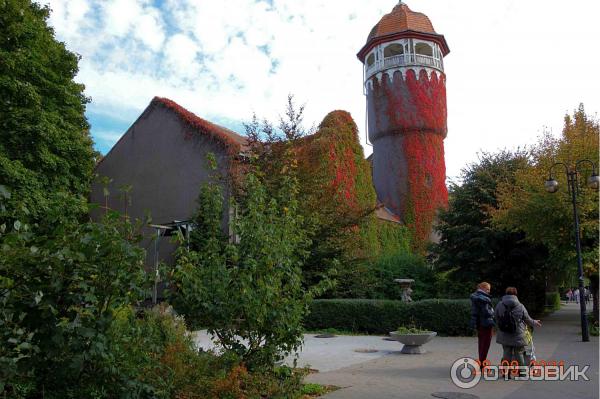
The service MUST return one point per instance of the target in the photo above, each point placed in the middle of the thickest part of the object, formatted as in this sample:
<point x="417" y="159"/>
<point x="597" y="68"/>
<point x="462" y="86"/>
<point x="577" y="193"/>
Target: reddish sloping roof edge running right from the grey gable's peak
<point x="230" y="139"/>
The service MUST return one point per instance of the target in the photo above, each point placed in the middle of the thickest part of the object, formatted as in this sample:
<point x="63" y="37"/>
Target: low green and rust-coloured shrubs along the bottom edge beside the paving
<point x="157" y="356"/>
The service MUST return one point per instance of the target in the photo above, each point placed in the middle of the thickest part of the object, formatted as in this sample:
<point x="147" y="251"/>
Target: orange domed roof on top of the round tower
<point x="400" y="19"/>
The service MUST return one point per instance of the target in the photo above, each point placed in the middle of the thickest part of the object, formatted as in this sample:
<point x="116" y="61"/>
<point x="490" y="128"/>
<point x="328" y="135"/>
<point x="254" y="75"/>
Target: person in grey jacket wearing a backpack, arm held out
<point x="511" y="317"/>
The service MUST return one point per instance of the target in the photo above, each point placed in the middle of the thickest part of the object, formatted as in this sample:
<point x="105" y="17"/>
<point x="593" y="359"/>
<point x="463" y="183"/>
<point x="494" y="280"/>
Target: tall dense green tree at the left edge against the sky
<point x="45" y="146"/>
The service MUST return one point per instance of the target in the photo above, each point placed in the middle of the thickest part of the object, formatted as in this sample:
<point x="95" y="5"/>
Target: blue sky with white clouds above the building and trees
<point x="514" y="70"/>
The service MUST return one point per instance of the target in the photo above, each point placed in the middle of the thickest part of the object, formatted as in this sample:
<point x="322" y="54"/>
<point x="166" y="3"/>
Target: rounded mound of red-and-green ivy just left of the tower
<point x="337" y="179"/>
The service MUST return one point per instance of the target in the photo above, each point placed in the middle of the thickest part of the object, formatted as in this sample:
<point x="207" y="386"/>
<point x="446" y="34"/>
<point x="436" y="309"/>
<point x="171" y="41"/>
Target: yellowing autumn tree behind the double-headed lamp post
<point x="547" y="219"/>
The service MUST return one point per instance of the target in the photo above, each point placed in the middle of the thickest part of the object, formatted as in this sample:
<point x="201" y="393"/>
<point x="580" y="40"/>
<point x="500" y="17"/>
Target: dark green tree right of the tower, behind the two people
<point x="472" y="249"/>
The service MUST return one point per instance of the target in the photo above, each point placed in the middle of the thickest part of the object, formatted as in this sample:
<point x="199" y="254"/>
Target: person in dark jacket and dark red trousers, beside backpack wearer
<point x="482" y="318"/>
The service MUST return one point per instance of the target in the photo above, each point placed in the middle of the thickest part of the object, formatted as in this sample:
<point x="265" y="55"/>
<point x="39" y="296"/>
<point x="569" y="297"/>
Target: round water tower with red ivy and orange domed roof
<point x="405" y="86"/>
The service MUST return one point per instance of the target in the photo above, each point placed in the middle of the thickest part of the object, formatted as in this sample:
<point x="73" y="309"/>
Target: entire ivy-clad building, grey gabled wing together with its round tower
<point x="159" y="164"/>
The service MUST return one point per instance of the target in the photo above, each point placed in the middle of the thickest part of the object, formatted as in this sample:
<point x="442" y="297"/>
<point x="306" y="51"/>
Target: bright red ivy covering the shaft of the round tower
<point x="412" y="111"/>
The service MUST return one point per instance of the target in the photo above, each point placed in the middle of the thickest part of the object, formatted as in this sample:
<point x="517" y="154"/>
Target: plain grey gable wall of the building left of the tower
<point x="164" y="161"/>
